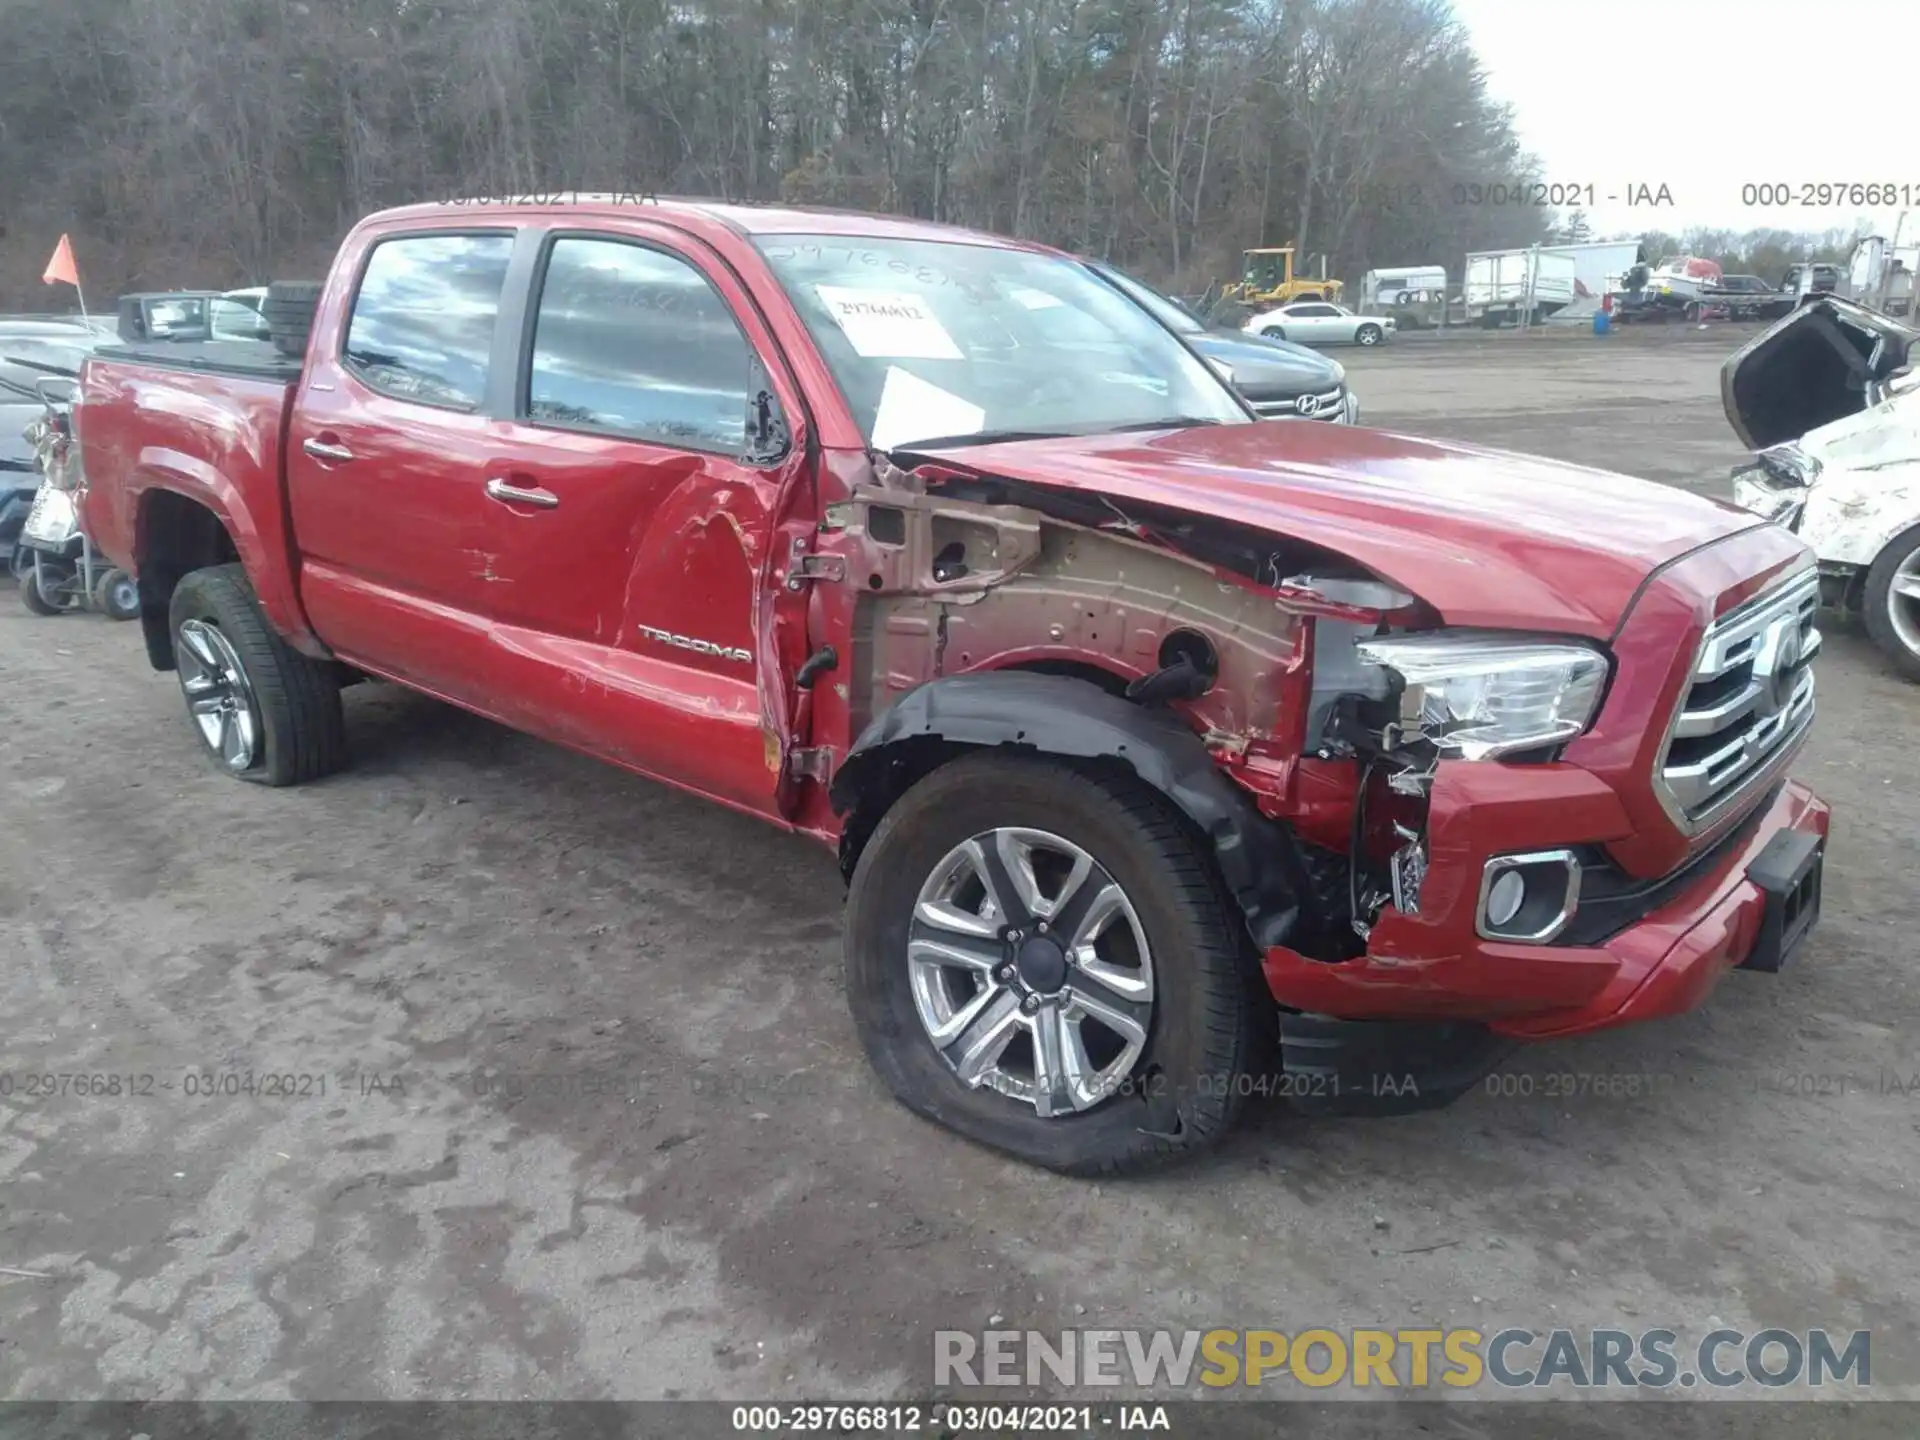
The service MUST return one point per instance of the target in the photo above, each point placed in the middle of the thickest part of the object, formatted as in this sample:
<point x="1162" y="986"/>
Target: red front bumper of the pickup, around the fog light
<point x="1435" y="969"/>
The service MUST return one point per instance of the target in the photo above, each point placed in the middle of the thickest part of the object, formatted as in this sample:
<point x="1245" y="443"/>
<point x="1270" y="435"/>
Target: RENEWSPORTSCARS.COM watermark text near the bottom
<point x="1406" y="1358"/>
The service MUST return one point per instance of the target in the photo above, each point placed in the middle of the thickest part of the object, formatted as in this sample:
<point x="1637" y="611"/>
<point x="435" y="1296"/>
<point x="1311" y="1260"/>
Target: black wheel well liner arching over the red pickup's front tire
<point x="1074" y="721"/>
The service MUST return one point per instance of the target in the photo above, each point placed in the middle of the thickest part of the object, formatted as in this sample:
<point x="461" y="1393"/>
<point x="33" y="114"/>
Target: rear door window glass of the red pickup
<point x="423" y="320"/>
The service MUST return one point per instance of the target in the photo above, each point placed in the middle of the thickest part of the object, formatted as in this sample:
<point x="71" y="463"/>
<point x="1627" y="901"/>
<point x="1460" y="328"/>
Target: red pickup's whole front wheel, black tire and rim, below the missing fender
<point x="1120" y="1042"/>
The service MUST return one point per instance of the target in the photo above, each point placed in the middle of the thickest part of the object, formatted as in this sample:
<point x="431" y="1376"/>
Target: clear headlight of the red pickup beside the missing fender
<point x="1481" y="696"/>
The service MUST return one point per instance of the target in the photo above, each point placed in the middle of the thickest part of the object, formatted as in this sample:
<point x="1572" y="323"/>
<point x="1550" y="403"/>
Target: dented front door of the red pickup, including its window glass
<point x="633" y="604"/>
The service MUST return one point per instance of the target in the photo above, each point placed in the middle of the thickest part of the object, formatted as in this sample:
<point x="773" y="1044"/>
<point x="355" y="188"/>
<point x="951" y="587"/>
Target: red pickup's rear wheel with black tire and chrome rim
<point x="264" y="711"/>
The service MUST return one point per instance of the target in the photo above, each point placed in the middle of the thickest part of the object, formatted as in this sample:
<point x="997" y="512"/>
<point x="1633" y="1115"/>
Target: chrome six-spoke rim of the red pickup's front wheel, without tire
<point x="1030" y="971"/>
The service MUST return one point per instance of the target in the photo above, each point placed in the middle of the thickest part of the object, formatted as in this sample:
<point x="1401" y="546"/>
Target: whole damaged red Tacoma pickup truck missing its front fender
<point x="1170" y="756"/>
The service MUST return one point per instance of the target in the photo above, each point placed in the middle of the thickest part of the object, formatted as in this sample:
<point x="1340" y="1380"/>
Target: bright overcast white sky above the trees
<point x="1706" y="97"/>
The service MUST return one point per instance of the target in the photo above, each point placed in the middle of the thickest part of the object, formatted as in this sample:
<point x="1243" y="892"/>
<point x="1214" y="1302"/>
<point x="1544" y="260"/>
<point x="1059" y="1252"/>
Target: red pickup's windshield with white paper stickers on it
<point x="942" y="341"/>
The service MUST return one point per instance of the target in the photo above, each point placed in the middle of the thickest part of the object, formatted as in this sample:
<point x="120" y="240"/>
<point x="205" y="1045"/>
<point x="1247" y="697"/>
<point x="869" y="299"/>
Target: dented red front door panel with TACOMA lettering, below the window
<point x="623" y="619"/>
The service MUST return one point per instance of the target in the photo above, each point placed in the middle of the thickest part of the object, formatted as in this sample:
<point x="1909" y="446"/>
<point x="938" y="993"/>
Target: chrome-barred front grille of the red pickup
<point x="1748" y="702"/>
